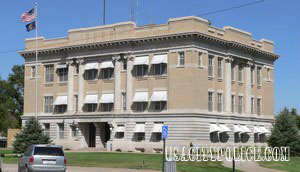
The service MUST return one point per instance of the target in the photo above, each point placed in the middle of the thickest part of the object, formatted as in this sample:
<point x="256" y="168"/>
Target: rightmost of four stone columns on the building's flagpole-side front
<point x="129" y="83"/>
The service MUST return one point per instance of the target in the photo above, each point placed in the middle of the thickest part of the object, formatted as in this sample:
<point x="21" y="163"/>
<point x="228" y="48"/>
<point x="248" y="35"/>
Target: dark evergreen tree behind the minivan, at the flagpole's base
<point x="32" y="133"/>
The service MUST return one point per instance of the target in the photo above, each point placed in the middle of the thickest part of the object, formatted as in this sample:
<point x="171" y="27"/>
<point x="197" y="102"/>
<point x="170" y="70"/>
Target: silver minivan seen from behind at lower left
<point x="43" y="158"/>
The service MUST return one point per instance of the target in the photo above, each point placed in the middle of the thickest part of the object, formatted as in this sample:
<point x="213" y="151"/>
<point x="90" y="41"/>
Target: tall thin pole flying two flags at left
<point x="36" y="59"/>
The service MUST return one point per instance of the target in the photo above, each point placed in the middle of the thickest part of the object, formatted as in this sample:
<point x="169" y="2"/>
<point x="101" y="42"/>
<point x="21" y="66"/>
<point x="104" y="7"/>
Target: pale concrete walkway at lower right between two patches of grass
<point x="248" y="166"/>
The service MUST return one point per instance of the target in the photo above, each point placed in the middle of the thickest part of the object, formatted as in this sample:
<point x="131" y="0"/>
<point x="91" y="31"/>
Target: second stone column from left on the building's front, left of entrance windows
<point x="81" y="85"/>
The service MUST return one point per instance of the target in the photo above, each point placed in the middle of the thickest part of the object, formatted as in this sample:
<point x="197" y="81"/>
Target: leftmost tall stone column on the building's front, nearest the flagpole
<point x="70" y="86"/>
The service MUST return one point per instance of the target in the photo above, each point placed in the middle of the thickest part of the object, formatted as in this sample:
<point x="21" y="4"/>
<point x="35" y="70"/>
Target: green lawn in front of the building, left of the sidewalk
<point x="130" y="161"/>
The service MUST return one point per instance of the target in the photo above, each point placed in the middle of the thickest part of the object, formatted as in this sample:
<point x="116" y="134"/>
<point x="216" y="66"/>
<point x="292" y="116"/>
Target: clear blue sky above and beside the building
<point x="276" y="20"/>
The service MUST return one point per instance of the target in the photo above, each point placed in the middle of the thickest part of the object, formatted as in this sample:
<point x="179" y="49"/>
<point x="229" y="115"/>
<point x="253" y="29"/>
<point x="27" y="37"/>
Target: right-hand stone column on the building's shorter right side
<point x="248" y="88"/>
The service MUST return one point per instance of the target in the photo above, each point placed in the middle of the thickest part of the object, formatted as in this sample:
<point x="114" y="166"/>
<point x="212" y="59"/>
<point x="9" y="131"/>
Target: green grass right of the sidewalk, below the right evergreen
<point x="293" y="165"/>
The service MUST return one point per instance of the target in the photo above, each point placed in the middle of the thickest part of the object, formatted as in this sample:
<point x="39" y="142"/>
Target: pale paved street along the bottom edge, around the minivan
<point x="14" y="168"/>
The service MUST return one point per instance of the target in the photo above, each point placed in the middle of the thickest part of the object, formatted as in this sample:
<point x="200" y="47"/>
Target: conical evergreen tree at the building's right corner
<point x="285" y="132"/>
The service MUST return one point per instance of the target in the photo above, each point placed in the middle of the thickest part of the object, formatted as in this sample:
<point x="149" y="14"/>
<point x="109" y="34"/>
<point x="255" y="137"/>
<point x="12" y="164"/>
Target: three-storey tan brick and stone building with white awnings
<point x="113" y="87"/>
